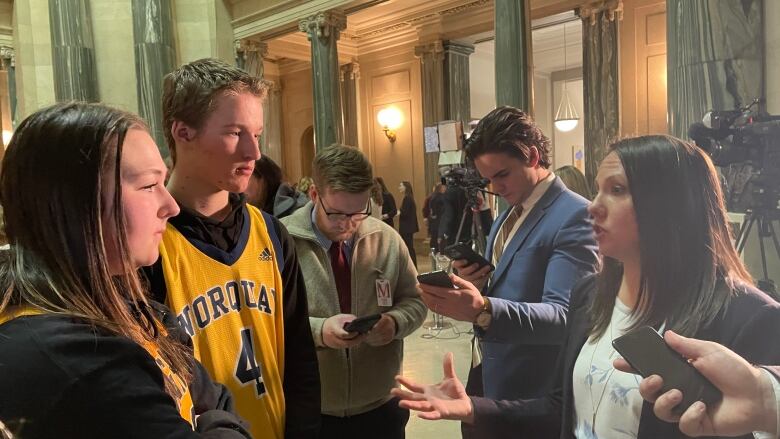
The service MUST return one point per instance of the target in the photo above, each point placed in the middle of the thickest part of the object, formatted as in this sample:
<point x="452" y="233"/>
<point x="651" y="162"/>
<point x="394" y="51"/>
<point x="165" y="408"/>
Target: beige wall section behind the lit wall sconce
<point x="393" y="79"/>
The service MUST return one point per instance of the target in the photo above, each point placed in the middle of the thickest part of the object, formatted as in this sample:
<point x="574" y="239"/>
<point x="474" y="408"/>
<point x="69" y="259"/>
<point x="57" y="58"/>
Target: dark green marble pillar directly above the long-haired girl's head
<point x="73" y="52"/>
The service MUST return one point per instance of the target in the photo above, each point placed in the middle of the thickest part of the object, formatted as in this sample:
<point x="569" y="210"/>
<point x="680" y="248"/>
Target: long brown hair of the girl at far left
<point x="52" y="189"/>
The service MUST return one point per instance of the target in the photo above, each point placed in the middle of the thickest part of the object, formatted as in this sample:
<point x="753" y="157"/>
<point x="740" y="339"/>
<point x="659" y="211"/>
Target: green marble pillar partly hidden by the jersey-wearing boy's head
<point x="155" y="55"/>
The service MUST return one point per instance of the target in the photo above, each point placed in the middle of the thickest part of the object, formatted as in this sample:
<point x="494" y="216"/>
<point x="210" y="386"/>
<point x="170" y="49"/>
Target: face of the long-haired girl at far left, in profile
<point x="146" y="203"/>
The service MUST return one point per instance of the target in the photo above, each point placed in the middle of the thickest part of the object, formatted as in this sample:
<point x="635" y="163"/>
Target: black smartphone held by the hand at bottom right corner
<point x="647" y="353"/>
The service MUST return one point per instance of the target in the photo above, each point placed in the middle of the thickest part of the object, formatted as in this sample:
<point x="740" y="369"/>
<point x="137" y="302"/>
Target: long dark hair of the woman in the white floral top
<point x="689" y="266"/>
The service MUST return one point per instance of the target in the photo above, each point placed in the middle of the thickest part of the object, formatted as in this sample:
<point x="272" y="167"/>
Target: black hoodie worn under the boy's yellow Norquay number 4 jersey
<point x="301" y="381"/>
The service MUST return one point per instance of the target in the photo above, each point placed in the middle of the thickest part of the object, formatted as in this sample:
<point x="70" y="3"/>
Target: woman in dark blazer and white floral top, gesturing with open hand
<point x="668" y="262"/>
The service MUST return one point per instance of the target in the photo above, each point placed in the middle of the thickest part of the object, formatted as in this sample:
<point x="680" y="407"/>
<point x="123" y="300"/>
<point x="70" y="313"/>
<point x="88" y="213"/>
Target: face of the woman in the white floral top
<point x="614" y="219"/>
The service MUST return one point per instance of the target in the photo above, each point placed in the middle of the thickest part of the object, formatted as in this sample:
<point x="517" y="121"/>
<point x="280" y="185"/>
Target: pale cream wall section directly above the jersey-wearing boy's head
<point x="203" y="30"/>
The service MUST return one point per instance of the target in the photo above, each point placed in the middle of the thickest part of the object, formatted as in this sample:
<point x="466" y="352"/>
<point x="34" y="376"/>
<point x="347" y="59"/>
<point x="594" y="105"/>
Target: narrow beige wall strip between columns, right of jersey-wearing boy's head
<point x="297" y="120"/>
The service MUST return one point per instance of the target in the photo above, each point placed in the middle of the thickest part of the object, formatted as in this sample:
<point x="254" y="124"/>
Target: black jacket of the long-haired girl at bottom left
<point x="67" y="379"/>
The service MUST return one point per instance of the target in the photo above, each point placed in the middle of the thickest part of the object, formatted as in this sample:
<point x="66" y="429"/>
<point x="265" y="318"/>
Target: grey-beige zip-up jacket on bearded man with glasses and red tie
<point x="358" y="379"/>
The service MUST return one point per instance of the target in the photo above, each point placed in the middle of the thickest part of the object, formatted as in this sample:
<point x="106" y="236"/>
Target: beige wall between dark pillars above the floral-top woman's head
<point x="643" y="67"/>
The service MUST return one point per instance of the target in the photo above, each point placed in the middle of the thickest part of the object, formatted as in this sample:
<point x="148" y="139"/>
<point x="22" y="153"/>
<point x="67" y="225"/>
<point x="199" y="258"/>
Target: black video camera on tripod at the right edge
<point x="747" y="137"/>
